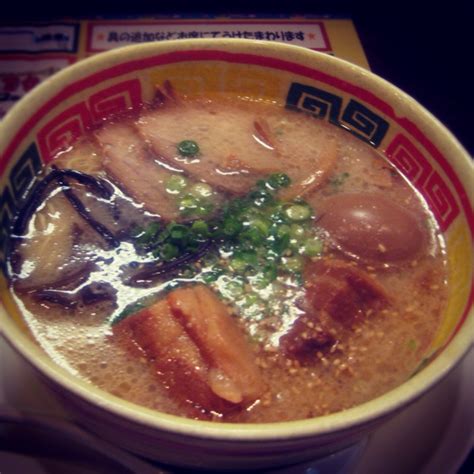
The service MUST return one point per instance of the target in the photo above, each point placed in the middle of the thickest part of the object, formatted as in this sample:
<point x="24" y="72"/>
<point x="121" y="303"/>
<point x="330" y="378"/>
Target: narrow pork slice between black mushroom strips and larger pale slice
<point x="128" y="162"/>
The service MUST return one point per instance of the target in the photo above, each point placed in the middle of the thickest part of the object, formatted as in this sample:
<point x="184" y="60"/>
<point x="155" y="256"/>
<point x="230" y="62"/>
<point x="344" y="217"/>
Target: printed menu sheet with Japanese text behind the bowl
<point x="29" y="53"/>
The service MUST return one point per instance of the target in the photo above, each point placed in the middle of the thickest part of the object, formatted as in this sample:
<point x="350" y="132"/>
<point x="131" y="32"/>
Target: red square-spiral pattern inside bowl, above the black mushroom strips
<point x="64" y="129"/>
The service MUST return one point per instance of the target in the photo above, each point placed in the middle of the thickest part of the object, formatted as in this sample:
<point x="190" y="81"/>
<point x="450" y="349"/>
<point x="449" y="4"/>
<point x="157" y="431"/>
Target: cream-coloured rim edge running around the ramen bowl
<point x="363" y="414"/>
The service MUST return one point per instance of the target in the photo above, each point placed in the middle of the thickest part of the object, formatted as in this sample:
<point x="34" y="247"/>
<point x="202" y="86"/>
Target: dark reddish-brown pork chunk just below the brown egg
<point x="338" y="297"/>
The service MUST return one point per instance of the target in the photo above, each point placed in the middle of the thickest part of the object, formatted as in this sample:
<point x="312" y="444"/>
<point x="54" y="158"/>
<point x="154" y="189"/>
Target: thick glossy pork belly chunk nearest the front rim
<point x="197" y="350"/>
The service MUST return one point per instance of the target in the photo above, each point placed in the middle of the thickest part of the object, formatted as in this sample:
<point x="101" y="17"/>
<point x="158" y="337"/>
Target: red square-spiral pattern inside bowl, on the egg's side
<point x="411" y="162"/>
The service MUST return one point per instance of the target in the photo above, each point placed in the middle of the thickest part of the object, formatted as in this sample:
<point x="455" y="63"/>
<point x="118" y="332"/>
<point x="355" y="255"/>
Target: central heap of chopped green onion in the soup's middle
<point x="251" y="236"/>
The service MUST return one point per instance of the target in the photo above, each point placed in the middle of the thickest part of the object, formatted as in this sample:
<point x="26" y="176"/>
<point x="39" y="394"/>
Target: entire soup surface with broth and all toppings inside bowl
<point x="276" y="261"/>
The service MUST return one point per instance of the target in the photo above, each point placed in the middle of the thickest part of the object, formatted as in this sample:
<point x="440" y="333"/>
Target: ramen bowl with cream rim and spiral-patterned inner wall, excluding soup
<point x="59" y="111"/>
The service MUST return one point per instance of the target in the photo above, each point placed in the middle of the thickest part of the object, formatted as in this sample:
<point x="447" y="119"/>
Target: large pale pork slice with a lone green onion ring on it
<point x="236" y="148"/>
